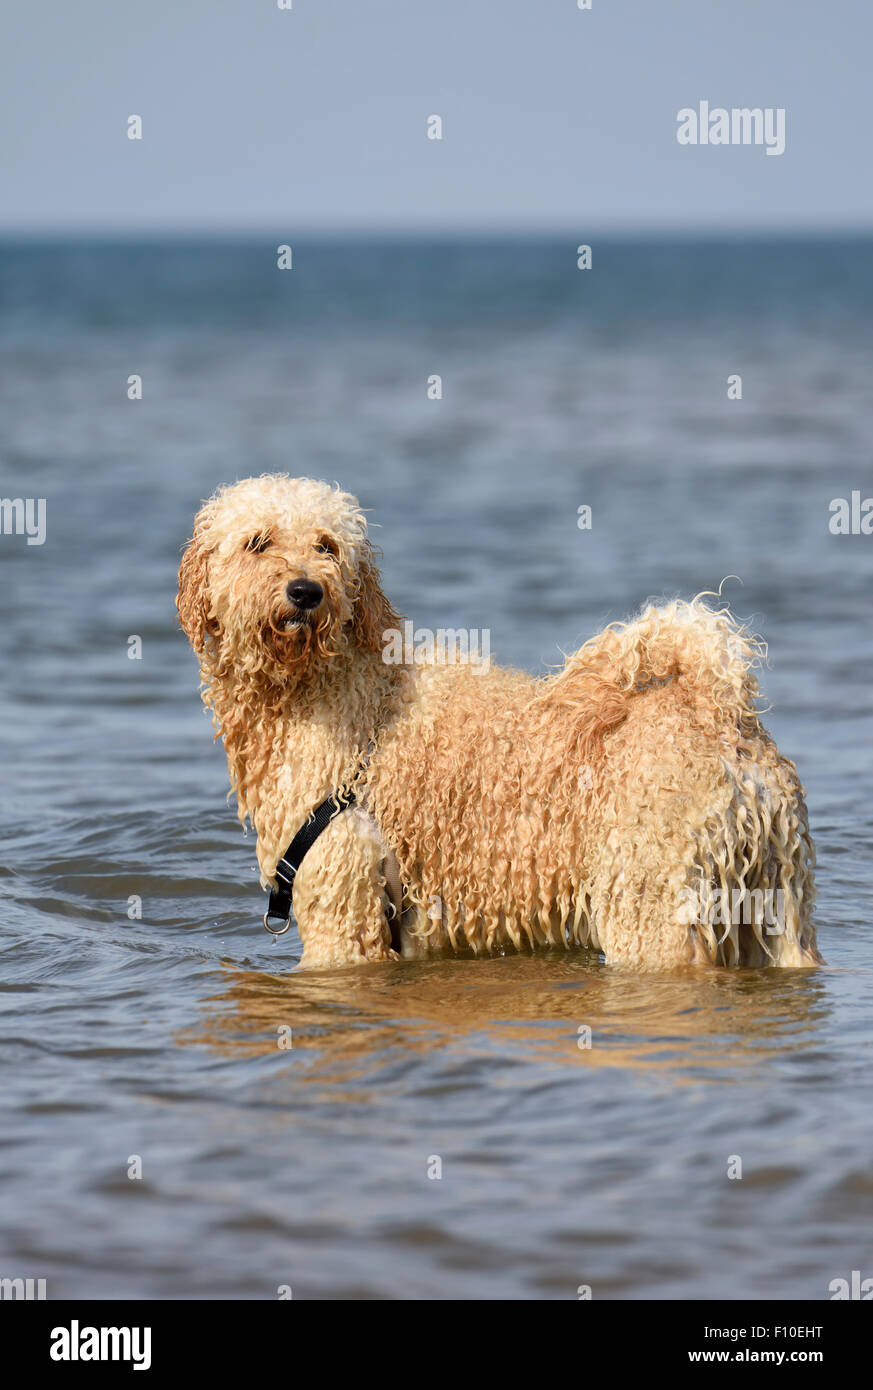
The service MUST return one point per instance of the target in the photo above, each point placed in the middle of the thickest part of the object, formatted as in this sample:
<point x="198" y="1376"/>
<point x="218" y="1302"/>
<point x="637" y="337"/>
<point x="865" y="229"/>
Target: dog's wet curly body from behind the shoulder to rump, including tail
<point x="632" y="803"/>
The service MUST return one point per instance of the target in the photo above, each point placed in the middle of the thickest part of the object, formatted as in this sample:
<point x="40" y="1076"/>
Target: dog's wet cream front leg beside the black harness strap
<point x="343" y="901"/>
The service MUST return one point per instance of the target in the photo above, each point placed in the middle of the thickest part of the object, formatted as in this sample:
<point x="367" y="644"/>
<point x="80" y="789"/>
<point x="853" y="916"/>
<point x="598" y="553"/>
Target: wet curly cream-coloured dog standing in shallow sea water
<point x="630" y="801"/>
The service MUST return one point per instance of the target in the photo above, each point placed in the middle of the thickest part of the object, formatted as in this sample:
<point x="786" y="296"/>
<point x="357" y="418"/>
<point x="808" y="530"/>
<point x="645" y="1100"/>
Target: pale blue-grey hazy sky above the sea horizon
<point x="315" y="119"/>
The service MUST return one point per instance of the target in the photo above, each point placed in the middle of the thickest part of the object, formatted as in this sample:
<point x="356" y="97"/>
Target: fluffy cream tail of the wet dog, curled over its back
<point x="705" y="651"/>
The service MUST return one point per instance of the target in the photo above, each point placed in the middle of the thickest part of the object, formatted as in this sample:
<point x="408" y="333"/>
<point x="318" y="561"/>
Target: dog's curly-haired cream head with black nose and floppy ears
<point x="280" y="575"/>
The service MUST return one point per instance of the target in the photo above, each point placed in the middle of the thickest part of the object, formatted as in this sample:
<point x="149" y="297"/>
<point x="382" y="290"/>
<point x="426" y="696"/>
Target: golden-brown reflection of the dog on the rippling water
<point x="352" y="1024"/>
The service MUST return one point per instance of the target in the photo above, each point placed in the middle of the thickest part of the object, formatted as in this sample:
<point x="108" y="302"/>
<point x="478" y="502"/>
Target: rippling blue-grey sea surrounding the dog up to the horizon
<point x="156" y="1039"/>
